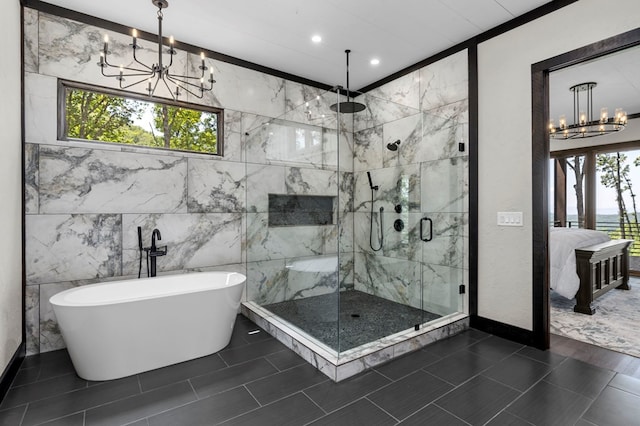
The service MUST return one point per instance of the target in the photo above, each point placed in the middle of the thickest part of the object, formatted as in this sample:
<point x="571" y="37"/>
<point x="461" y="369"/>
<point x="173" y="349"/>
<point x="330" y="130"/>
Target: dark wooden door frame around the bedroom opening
<point x="540" y="166"/>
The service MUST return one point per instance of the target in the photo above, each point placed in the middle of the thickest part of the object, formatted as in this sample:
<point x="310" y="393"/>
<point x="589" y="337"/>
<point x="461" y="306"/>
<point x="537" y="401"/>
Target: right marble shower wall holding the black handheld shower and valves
<point x="426" y="177"/>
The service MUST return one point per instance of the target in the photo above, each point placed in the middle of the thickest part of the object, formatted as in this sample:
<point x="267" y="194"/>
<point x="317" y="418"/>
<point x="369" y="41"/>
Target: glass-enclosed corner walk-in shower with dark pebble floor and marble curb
<point x="343" y="293"/>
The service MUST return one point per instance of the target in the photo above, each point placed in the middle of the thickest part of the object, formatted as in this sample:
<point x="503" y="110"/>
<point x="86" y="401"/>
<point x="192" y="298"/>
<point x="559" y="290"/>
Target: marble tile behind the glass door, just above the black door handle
<point x="444" y="185"/>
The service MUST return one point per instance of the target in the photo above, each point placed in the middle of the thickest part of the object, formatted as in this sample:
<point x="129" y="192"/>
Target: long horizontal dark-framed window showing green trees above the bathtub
<point x="103" y="115"/>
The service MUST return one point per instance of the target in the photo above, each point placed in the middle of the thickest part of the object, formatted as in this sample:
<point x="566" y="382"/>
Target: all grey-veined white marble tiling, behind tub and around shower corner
<point x="84" y="201"/>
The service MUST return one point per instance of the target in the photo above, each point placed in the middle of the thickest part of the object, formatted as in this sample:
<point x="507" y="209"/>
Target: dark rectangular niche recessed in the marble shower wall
<point x="300" y="210"/>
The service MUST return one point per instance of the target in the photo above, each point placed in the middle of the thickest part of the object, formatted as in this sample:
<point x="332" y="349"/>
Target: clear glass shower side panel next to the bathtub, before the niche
<point x="292" y="216"/>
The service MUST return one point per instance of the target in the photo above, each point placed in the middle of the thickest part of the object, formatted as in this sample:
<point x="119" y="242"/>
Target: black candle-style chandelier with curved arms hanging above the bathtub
<point x="158" y="72"/>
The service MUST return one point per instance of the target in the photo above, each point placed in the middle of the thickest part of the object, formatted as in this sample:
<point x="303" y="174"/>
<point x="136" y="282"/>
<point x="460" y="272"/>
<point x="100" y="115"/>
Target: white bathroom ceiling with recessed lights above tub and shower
<point x="277" y="33"/>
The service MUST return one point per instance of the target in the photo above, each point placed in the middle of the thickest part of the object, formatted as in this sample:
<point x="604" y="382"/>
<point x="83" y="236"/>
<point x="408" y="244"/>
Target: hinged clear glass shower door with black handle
<point x="444" y="210"/>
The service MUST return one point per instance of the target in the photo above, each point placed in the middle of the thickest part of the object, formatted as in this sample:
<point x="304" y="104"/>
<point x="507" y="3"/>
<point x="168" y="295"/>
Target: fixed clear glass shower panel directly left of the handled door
<point x="387" y="292"/>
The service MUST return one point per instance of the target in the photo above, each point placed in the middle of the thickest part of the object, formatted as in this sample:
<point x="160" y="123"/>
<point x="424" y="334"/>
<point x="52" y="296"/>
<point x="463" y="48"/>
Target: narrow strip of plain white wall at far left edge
<point x="10" y="186"/>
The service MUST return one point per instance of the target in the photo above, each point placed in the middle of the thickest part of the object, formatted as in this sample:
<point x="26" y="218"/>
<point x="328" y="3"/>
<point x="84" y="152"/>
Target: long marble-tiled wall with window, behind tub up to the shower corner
<point x="84" y="201"/>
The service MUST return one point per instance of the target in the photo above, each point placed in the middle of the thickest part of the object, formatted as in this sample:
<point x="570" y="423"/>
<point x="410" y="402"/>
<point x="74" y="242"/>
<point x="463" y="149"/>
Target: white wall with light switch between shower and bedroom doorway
<point x="504" y="144"/>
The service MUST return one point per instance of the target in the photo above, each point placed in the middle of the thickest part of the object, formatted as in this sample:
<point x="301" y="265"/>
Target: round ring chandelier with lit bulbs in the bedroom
<point x="584" y="126"/>
